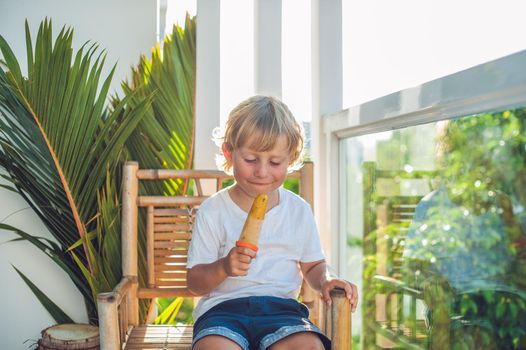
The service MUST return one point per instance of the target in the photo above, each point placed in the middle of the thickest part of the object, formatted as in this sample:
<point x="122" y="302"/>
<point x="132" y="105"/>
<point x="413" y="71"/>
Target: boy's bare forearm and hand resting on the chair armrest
<point x="317" y="276"/>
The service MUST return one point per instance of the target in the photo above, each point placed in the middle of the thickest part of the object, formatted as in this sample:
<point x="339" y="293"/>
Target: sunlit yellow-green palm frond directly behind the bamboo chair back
<point x="165" y="137"/>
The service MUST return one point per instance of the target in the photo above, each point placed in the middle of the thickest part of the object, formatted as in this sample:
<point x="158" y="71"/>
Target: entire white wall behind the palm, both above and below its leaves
<point x="125" y="29"/>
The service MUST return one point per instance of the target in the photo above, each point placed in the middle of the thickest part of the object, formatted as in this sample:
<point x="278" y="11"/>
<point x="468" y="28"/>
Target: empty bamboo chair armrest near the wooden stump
<point x="111" y="323"/>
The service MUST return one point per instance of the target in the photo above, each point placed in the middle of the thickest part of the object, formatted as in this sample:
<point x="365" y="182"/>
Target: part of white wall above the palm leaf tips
<point x="125" y="29"/>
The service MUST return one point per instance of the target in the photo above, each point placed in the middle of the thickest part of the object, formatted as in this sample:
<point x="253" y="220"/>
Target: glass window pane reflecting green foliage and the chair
<point x="435" y="219"/>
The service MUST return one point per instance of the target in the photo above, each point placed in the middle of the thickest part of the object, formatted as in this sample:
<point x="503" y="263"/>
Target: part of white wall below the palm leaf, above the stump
<point x="22" y="317"/>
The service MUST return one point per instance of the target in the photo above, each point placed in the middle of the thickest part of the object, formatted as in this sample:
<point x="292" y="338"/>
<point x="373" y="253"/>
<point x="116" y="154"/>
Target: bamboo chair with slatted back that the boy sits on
<point x="168" y="232"/>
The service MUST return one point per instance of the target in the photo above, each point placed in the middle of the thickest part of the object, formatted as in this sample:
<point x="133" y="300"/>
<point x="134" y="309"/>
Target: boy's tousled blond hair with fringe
<point x="257" y="122"/>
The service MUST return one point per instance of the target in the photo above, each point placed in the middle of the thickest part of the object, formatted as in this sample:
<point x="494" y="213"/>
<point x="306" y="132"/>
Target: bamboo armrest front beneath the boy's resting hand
<point x="338" y="320"/>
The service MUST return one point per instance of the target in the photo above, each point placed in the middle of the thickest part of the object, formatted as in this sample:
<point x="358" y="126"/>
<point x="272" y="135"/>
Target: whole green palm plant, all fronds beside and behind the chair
<point x="61" y="147"/>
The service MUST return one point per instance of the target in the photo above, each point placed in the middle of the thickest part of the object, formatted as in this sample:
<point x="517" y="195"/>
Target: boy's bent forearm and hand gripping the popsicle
<point x="204" y="278"/>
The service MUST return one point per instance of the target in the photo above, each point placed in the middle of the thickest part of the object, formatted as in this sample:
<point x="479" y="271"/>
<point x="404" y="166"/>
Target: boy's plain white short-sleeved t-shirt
<point x="288" y="236"/>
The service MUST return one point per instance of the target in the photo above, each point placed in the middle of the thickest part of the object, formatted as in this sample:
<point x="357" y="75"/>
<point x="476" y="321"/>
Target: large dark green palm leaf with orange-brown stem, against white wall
<point x="58" y="143"/>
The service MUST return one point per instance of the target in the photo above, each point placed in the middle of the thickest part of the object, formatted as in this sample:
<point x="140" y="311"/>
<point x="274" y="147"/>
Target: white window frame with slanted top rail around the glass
<point x="495" y="85"/>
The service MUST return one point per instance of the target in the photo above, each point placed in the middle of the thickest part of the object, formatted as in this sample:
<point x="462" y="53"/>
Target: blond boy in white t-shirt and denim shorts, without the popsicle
<point x="250" y="298"/>
